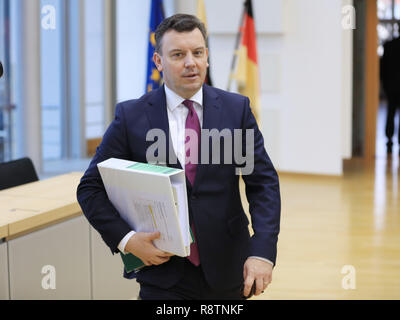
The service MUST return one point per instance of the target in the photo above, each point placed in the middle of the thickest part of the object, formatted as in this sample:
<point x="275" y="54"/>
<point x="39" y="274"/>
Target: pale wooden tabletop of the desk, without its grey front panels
<point x="37" y="204"/>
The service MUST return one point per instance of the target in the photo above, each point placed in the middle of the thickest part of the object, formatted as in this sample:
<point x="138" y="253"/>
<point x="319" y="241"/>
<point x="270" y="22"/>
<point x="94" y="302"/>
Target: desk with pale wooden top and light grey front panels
<point x="84" y="266"/>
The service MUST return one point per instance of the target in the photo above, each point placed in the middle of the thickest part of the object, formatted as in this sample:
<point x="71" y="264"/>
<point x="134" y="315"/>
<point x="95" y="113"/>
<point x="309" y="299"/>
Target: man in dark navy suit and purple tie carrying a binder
<point x="225" y="262"/>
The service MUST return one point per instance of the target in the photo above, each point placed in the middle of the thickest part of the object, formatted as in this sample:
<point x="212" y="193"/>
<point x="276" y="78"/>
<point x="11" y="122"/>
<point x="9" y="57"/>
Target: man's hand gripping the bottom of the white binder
<point x="141" y="245"/>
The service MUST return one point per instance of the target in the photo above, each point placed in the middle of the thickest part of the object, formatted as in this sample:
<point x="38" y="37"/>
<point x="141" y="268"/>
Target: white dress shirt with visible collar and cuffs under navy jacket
<point x="177" y="114"/>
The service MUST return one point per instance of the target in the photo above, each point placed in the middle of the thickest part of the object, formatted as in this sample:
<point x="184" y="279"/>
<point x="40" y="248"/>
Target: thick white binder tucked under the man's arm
<point x="150" y="198"/>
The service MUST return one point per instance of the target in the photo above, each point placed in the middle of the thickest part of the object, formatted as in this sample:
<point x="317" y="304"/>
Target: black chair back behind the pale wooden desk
<point x="17" y="172"/>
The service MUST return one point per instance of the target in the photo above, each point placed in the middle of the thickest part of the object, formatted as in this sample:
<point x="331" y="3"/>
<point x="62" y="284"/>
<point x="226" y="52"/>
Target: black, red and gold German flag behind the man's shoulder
<point x="246" y="73"/>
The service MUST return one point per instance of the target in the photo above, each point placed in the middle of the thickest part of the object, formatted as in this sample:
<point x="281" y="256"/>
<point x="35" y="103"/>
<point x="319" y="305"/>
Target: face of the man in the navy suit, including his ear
<point x="183" y="61"/>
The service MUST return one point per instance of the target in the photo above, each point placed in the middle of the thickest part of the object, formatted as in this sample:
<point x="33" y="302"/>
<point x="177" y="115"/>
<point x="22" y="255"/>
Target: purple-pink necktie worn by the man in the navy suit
<point x="192" y="151"/>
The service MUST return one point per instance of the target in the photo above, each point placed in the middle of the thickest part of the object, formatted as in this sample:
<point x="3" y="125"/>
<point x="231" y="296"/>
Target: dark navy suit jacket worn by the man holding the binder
<point x="214" y="200"/>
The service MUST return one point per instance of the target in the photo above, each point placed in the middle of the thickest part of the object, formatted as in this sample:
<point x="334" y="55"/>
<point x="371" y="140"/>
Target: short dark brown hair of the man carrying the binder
<point x="180" y="23"/>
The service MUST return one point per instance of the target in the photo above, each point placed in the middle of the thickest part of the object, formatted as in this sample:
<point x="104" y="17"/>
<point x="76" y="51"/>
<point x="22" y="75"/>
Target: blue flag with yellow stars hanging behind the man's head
<point x="154" y="78"/>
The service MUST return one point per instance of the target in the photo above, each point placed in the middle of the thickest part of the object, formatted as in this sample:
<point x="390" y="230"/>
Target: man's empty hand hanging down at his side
<point x="258" y="271"/>
